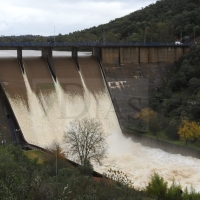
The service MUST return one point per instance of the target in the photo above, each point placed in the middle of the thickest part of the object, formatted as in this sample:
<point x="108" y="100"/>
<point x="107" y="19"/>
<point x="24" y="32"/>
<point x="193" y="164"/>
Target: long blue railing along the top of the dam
<point x="89" y="44"/>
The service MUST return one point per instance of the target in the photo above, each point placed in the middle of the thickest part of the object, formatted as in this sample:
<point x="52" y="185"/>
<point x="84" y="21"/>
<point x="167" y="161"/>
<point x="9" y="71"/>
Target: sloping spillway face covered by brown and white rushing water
<point x="42" y="108"/>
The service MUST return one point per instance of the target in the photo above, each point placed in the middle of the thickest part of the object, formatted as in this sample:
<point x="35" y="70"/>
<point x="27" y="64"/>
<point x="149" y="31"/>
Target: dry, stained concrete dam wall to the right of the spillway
<point x="134" y="74"/>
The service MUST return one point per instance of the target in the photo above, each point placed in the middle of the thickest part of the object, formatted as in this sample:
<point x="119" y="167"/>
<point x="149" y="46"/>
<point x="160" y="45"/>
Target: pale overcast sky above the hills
<point x="42" y="17"/>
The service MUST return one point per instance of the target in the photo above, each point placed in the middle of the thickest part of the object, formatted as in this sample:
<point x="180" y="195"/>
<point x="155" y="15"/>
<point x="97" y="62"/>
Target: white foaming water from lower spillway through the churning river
<point x="49" y="114"/>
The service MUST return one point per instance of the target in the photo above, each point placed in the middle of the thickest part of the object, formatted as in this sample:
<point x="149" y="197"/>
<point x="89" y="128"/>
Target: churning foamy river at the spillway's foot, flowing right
<point x="140" y="162"/>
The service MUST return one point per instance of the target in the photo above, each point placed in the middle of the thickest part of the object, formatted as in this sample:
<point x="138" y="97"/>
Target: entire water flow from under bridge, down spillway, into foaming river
<point x="45" y="108"/>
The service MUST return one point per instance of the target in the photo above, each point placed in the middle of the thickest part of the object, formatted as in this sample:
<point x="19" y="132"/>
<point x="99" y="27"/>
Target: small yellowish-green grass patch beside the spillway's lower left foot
<point x="35" y="154"/>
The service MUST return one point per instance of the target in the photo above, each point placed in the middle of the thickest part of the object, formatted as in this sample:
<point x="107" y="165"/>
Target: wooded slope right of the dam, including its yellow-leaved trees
<point x="174" y="111"/>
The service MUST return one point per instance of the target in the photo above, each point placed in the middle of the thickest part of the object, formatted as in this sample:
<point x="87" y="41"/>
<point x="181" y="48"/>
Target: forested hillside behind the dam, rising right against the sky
<point x="164" y="21"/>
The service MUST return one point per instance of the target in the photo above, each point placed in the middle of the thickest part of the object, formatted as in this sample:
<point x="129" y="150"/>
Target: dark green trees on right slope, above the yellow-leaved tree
<point x="181" y="94"/>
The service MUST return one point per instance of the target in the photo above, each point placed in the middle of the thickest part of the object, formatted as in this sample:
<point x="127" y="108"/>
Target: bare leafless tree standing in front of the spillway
<point x="85" y="140"/>
